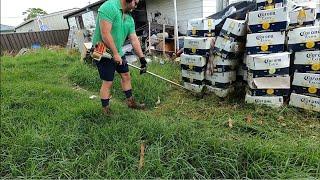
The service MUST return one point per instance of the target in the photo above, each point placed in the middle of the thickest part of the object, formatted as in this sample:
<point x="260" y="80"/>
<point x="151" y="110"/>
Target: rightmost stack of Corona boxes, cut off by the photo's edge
<point x="304" y="42"/>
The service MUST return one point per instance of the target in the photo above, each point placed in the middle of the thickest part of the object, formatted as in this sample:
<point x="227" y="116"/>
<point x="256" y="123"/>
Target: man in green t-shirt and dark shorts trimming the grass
<point x="114" y="24"/>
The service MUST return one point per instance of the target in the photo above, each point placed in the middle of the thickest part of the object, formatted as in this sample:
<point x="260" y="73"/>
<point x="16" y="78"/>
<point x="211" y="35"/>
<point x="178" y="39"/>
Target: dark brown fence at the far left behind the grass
<point x="17" y="41"/>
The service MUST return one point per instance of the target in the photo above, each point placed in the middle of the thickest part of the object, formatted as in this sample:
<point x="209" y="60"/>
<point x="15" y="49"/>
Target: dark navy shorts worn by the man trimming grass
<point x="107" y="67"/>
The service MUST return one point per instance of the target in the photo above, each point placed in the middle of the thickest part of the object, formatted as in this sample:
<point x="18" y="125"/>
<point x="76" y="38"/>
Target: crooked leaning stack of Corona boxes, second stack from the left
<point x="228" y="50"/>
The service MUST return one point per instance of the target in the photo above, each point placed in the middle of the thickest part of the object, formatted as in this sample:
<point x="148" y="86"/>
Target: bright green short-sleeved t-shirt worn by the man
<point x="122" y="24"/>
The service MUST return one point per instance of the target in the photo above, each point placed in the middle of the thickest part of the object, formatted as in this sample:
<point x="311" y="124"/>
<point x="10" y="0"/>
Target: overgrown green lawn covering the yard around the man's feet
<point x="50" y="129"/>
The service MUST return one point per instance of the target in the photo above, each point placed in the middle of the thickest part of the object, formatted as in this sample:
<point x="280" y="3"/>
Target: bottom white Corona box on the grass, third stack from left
<point x="272" y="101"/>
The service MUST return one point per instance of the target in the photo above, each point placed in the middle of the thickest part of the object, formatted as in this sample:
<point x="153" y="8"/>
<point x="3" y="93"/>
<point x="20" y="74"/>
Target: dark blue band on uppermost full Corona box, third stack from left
<point x="274" y="27"/>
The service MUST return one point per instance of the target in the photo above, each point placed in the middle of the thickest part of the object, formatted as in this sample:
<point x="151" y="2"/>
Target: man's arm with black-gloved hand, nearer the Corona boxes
<point x="137" y="48"/>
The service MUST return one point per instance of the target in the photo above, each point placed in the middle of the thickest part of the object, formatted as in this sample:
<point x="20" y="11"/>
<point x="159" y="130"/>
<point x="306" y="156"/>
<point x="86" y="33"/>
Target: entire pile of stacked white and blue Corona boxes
<point x="271" y="47"/>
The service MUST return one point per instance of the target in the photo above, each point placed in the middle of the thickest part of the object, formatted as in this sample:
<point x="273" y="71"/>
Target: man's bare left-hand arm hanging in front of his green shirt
<point x="106" y="27"/>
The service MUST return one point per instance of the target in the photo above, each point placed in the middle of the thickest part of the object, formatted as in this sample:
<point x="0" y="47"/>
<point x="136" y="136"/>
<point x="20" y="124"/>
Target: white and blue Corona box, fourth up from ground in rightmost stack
<point x="304" y="38"/>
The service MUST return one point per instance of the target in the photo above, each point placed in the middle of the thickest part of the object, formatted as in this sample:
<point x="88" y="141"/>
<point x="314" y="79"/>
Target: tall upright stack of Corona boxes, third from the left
<point x="267" y="60"/>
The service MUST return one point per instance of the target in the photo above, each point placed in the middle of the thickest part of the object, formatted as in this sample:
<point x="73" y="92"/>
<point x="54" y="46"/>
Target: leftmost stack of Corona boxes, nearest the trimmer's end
<point x="196" y="53"/>
